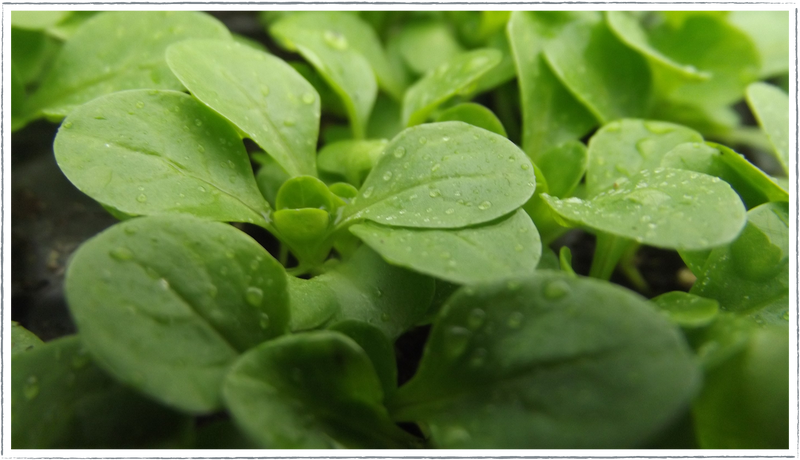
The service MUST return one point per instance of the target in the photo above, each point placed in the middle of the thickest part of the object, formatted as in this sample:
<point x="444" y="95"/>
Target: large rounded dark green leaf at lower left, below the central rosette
<point x="167" y="303"/>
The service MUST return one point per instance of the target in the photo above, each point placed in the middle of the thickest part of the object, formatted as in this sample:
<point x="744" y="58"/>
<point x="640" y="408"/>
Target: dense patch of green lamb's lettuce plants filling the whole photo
<point x="395" y="202"/>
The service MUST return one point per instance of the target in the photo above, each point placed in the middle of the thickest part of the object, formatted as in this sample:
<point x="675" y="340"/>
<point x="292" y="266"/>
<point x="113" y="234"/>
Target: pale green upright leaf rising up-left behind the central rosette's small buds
<point x="259" y="93"/>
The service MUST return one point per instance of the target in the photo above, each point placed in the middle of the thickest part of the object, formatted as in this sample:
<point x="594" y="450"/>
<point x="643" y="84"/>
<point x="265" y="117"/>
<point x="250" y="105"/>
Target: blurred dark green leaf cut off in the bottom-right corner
<point x="759" y="381"/>
